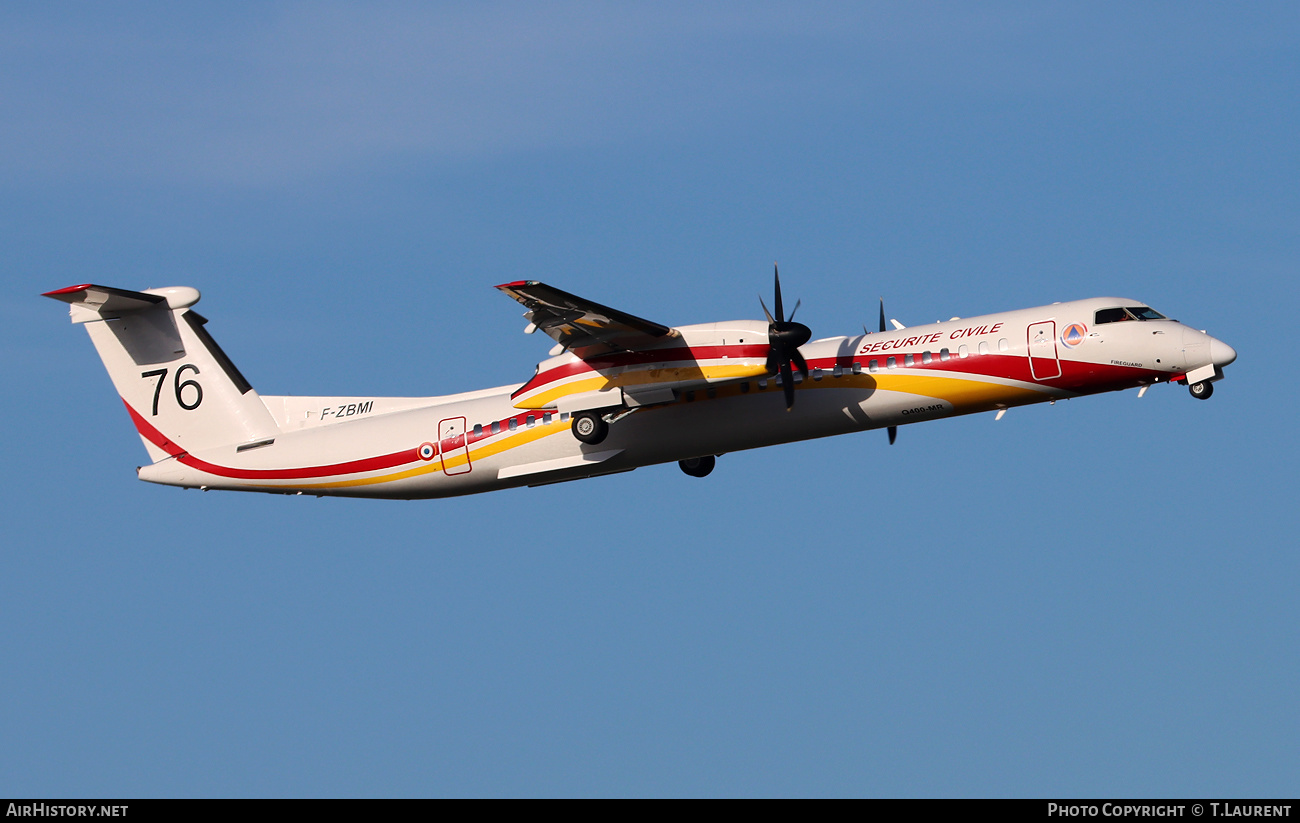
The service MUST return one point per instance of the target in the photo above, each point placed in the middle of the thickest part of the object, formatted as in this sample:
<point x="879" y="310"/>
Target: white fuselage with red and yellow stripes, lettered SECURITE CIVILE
<point x="424" y="448"/>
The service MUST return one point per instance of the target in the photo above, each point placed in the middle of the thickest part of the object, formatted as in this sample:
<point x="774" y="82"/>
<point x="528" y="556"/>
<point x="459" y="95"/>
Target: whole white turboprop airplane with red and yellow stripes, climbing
<point x="616" y="395"/>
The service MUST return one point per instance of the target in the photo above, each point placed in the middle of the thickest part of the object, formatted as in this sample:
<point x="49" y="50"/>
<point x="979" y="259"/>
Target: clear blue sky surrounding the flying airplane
<point x="1090" y="599"/>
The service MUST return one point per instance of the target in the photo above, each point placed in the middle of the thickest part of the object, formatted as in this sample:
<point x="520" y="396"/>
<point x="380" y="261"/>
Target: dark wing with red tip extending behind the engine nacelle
<point x="582" y="326"/>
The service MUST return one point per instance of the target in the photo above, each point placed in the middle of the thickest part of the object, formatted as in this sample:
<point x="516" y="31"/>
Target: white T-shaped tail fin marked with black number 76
<point x="183" y="392"/>
